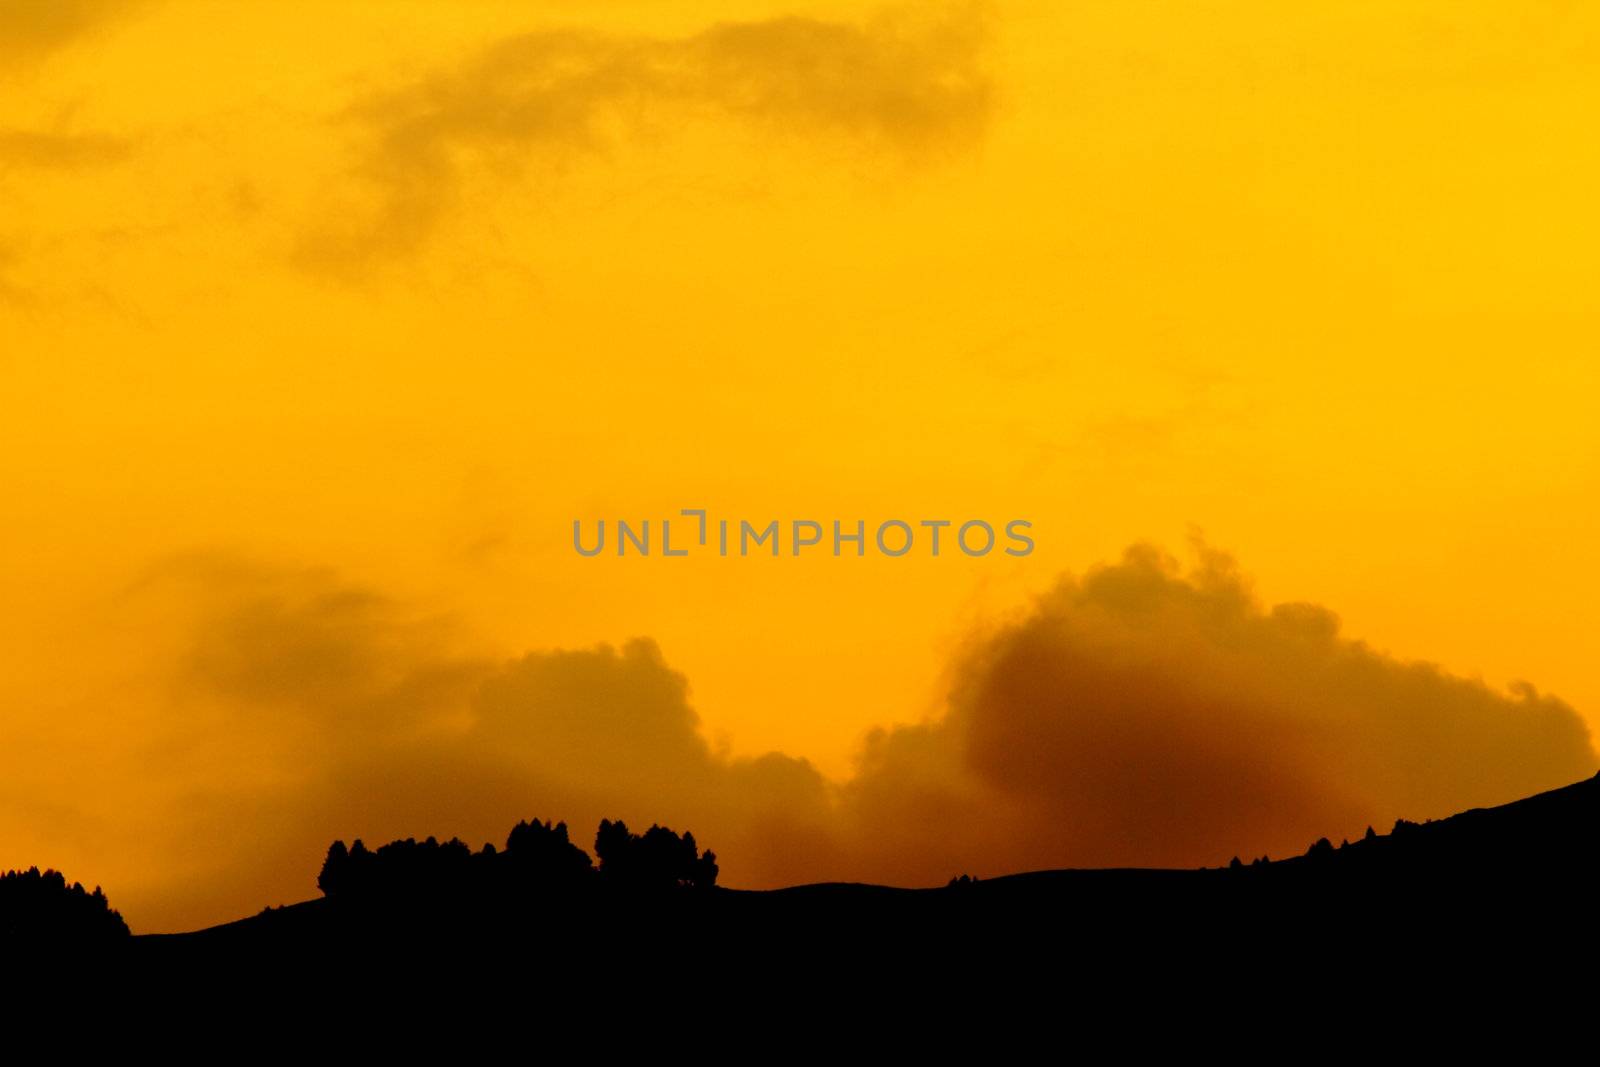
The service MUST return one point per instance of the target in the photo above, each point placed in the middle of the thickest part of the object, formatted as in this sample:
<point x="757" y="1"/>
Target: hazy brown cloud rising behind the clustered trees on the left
<point x="303" y="709"/>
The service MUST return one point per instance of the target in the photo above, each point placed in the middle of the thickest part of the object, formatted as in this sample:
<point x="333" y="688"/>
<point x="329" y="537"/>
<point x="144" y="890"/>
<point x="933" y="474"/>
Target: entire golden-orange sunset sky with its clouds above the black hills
<point x="322" y="322"/>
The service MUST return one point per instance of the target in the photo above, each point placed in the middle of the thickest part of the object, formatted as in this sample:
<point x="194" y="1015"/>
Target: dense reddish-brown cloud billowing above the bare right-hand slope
<point x="1143" y="716"/>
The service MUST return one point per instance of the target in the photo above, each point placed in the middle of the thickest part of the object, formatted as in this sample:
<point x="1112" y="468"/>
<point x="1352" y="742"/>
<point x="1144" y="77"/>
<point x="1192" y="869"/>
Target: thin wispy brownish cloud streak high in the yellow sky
<point x="550" y="97"/>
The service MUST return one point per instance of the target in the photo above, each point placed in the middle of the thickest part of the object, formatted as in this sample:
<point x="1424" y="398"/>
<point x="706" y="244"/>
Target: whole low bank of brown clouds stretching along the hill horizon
<point x="1137" y="716"/>
